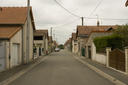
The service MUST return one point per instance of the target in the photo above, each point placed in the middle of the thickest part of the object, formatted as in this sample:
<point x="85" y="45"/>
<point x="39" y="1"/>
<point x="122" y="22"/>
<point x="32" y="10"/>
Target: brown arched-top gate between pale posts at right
<point x="117" y="59"/>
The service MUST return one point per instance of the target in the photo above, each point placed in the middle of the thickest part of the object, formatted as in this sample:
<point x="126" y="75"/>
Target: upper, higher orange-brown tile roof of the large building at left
<point x="14" y="15"/>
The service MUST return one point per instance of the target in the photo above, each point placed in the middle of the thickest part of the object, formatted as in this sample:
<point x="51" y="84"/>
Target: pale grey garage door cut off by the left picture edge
<point x="2" y="56"/>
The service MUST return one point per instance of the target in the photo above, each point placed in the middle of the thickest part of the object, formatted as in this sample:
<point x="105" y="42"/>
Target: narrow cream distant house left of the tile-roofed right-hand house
<point x="74" y="43"/>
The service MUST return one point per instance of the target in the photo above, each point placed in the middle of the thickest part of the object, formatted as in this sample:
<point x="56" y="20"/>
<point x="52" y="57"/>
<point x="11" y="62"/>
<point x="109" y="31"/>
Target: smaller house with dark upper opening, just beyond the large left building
<point x="40" y="43"/>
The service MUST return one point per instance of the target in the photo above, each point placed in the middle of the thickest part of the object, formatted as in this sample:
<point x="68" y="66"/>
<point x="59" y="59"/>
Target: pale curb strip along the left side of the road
<point x="17" y="75"/>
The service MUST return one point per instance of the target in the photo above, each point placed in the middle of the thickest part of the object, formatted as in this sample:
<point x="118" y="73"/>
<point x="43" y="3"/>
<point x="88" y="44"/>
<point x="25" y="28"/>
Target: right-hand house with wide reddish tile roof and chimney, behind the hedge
<point x="86" y="34"/>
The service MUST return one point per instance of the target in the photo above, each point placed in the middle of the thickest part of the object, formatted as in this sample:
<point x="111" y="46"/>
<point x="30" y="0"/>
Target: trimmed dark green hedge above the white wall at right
<point x="113" y="41"/>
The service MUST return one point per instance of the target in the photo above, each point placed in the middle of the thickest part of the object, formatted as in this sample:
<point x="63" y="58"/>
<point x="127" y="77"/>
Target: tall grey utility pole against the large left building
<point x="28" y="31"/>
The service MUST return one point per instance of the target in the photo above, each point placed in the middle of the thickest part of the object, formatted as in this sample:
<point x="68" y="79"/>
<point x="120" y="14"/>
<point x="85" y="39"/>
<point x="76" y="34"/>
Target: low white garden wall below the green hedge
<point x="100" y="58"/>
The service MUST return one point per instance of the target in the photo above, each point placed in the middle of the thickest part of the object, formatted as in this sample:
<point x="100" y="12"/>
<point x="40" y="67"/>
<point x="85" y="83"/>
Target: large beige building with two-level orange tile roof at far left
<point x="13" y="36"/>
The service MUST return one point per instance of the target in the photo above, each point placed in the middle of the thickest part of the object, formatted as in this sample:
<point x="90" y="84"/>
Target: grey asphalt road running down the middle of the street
<point x="61" y="68"/>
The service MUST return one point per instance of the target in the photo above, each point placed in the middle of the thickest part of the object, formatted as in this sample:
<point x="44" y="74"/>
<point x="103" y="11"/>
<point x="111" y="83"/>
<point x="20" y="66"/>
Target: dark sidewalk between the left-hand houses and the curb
<point x="9" y="73"/>
